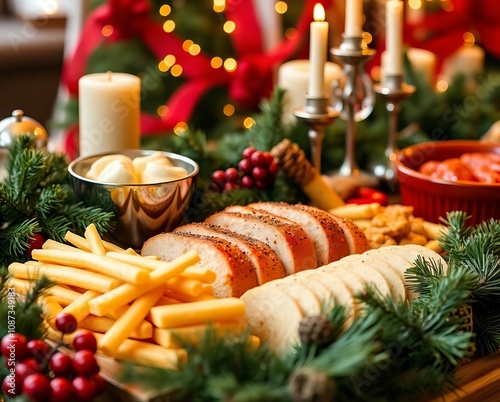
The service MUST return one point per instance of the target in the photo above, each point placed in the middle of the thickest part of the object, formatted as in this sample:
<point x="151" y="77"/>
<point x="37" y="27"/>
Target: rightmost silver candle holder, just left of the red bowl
<point x="394" y="90"/>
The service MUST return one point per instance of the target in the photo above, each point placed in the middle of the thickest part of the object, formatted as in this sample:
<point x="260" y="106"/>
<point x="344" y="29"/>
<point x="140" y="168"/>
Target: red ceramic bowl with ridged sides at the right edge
<point x="433" y="198"/>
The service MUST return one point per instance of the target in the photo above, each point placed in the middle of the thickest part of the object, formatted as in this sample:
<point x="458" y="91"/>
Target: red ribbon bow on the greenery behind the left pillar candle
<point x="247" y="85"/>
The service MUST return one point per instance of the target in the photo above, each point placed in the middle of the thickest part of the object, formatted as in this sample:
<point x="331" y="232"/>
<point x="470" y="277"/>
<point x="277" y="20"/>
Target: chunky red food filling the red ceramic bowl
<point x="483" y="167"/>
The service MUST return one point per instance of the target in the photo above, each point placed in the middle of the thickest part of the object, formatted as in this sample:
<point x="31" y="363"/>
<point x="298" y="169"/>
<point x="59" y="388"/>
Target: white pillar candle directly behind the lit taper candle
<point x="293" y="77"/>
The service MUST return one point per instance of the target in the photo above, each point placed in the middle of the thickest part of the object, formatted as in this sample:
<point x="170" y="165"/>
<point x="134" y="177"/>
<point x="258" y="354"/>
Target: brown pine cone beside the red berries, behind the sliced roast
<point x="291" y="158"/>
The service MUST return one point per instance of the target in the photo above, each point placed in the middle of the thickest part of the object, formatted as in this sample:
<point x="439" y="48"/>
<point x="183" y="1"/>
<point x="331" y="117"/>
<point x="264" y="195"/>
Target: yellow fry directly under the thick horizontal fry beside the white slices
<point x="170" y="337"/>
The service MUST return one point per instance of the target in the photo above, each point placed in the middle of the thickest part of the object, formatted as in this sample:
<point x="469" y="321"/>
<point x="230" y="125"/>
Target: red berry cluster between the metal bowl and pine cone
<point x="257" y="169"/>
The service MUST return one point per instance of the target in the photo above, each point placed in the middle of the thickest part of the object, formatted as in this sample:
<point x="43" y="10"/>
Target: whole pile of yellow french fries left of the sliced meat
<point x="139" y="307"/>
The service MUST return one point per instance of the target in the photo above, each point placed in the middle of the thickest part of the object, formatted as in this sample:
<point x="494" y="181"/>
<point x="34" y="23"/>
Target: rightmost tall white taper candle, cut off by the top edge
<point x="394" y="37"/>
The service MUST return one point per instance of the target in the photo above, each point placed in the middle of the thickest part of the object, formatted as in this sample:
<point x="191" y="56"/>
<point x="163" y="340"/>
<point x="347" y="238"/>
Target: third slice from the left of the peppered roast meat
<point x="288" y="240"/>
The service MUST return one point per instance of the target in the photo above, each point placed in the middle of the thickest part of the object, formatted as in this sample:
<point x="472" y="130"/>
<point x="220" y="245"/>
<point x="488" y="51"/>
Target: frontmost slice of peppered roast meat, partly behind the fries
<point x="235" y="273"/>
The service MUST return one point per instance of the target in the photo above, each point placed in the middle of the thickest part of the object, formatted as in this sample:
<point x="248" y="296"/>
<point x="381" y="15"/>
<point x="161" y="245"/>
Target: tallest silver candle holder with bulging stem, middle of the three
<point x="353" y="95"/>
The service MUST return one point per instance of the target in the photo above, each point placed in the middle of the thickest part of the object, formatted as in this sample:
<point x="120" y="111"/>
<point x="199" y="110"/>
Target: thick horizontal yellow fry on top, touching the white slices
<point x="179" y="315"/>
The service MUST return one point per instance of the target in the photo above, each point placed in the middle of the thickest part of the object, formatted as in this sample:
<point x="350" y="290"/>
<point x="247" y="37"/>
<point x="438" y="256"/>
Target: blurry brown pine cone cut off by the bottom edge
<point x="308" y="385"/>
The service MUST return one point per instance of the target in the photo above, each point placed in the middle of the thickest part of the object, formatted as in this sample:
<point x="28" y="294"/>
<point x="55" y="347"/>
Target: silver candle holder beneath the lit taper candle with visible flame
<point x="317" y="114"/>
